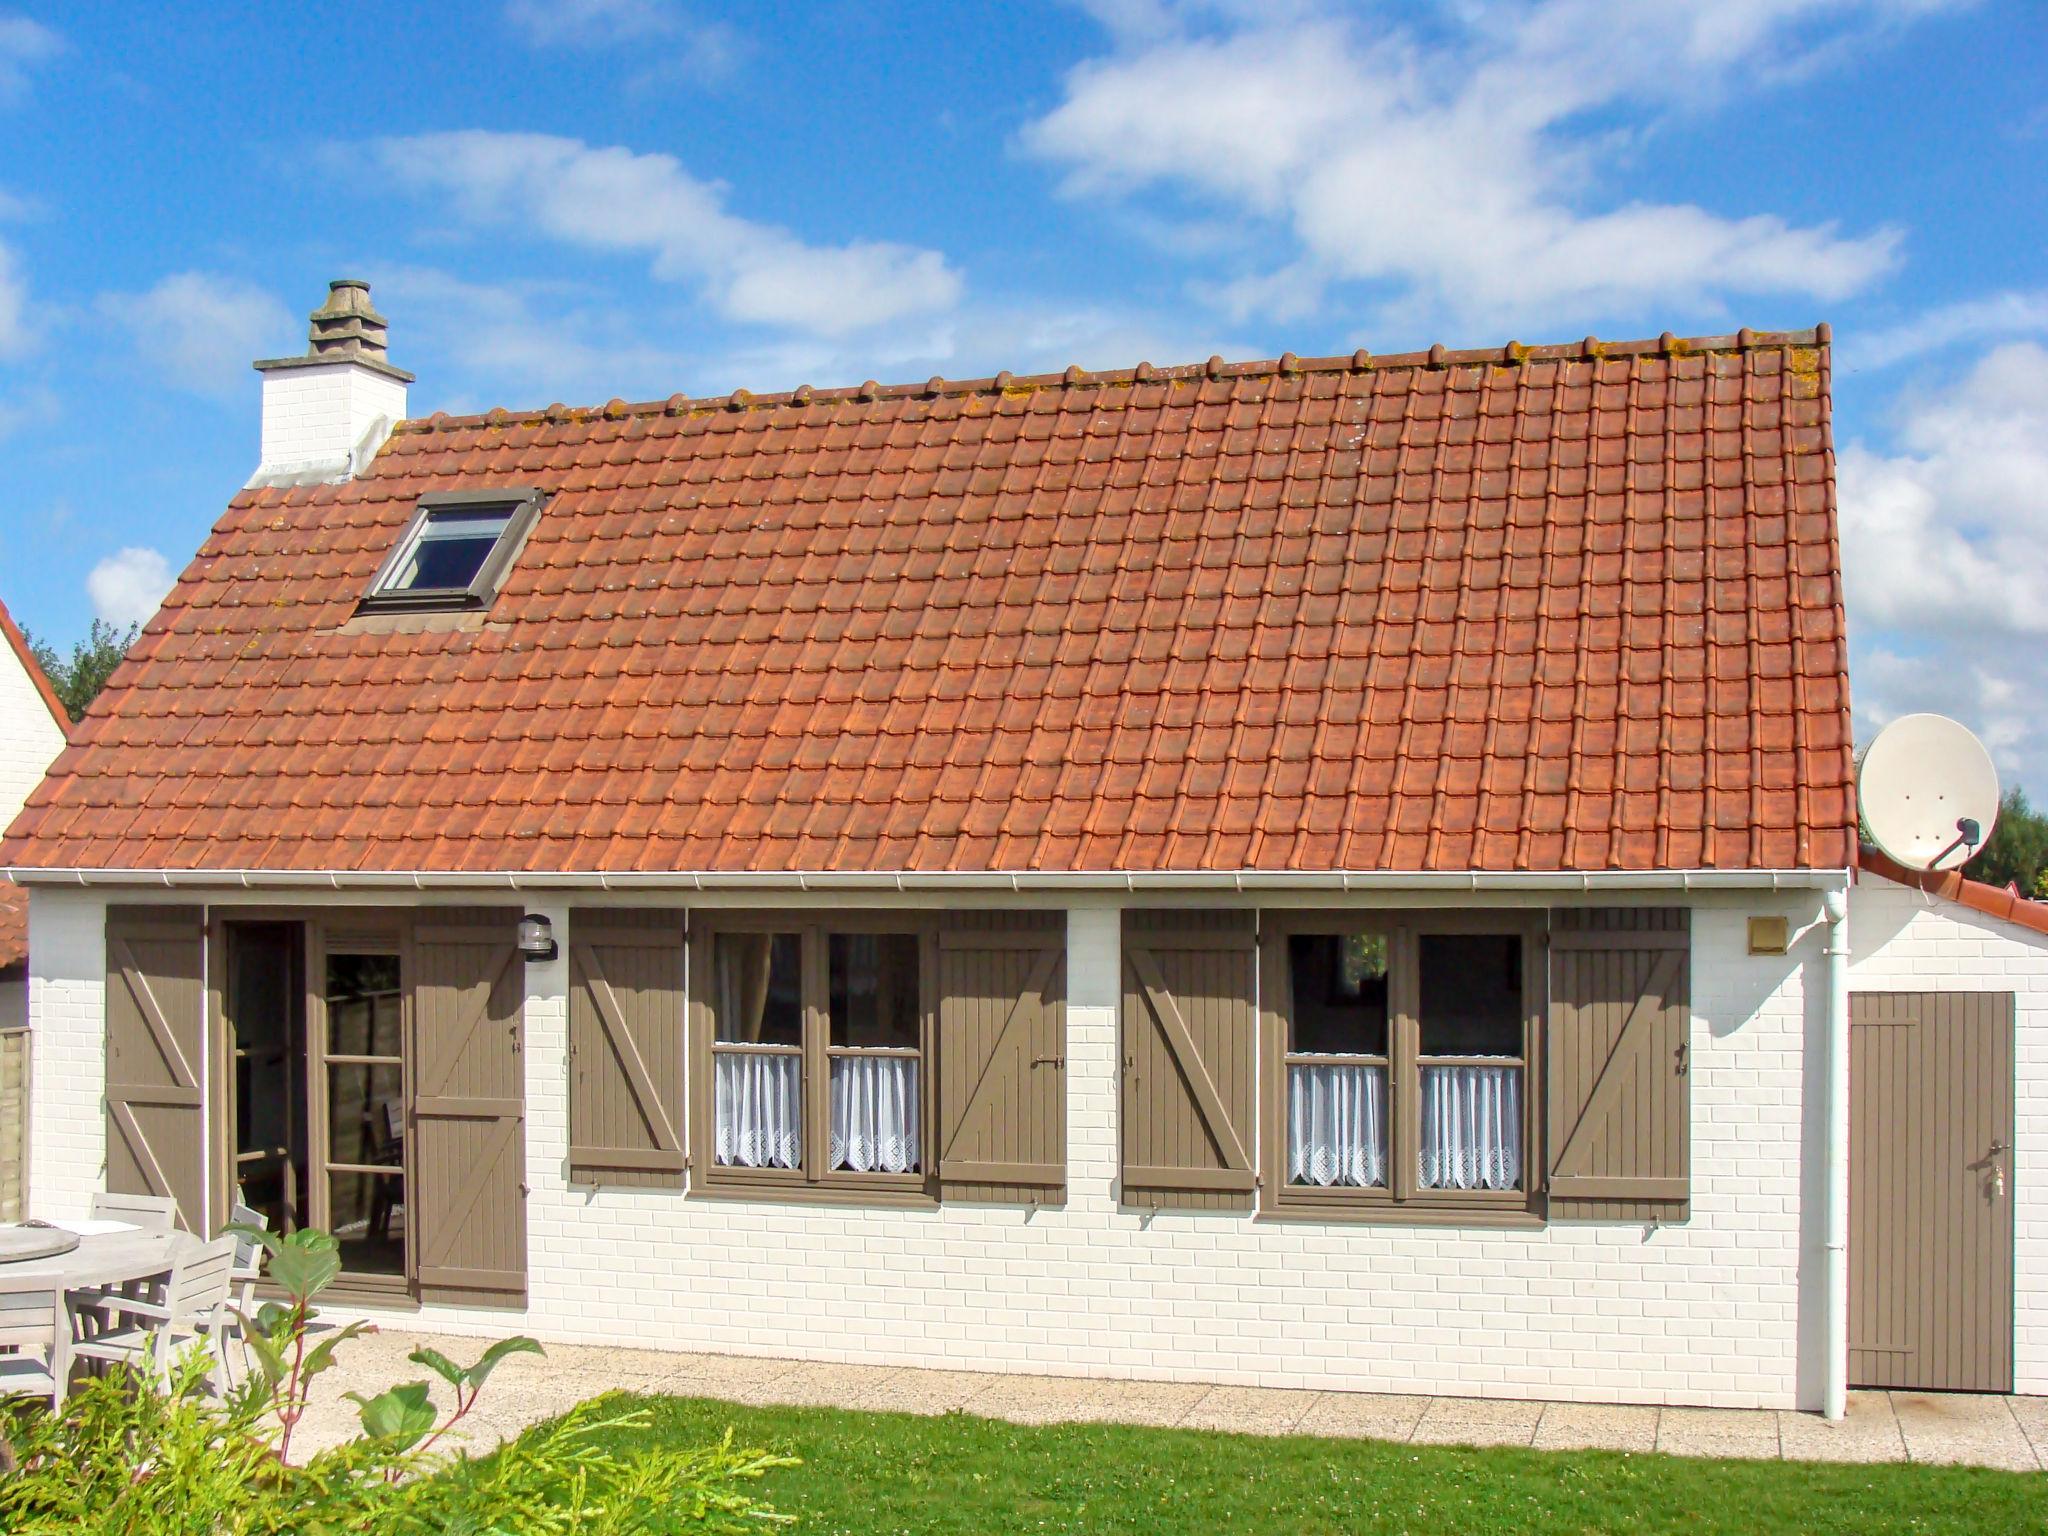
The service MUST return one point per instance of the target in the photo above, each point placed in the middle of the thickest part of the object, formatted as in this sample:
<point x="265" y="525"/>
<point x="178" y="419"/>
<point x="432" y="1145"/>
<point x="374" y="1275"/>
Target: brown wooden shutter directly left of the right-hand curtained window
<point x="1191" y="1060"/>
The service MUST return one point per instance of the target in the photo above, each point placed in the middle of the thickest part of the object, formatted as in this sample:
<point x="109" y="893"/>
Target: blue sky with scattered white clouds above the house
<point x="638" y="198"/>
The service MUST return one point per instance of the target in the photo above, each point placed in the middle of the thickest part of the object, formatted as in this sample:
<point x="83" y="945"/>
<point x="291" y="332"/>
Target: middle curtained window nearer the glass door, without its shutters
<point x="818" y="1037"/>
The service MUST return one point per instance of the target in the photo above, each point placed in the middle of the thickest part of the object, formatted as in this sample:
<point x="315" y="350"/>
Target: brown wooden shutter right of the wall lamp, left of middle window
<point x="626" y="1048"/>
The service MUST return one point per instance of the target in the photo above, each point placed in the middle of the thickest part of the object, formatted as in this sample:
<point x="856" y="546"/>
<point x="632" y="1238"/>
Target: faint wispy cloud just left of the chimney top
<point x="202" y="331"/>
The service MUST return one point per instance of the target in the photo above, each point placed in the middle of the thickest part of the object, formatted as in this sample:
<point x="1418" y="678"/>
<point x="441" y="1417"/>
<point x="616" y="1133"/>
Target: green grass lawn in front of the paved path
<point x="888" y="1474"/>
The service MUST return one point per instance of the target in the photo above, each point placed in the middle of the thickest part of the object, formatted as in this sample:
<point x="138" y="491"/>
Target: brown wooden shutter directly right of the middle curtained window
<point x="1002" y="1056"/>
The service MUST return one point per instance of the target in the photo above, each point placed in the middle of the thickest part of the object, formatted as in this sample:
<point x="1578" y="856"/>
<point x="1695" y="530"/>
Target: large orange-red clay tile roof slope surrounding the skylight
<point x="1531" y="609"/>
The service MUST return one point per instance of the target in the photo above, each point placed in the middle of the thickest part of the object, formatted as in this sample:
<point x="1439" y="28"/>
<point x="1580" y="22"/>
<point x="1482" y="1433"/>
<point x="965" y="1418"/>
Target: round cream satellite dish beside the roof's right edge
<point x="1928" y="792"/>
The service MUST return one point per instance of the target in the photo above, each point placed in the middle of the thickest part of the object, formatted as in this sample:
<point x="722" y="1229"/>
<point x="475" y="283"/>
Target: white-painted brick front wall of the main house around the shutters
<point x="1699" y="1314"/>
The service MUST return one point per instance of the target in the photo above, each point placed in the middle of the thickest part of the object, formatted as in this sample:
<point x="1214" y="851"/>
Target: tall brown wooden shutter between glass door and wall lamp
<point x="470" y="1109"/>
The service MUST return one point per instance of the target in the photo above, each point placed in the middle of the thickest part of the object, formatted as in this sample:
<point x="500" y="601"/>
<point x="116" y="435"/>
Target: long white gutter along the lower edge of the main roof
<point x="1363" y="882"/>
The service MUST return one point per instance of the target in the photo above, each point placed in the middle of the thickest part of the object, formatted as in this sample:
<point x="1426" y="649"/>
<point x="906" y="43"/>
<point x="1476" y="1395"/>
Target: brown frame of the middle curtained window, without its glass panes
<point x="814" y="1181"/>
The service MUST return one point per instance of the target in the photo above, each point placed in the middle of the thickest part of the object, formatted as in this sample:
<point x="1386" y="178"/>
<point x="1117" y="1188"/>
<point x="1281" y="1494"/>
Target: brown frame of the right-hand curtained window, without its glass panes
<point x="1402" y="1199"/>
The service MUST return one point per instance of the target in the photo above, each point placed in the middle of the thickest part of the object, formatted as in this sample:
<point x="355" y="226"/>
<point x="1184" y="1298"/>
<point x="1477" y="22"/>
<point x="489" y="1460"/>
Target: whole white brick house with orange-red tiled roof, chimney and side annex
<point x="1324" y="873"/>
